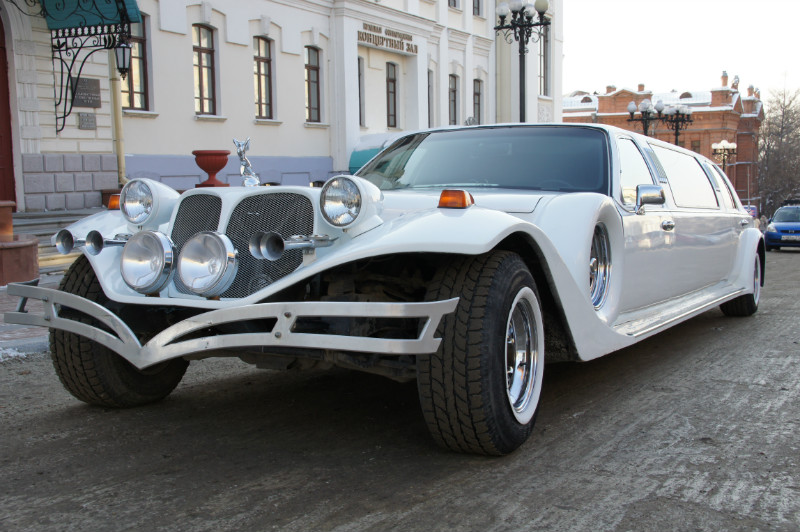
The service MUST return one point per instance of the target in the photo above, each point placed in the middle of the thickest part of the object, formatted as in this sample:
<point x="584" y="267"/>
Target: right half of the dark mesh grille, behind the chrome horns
<point x="283" y="213"/>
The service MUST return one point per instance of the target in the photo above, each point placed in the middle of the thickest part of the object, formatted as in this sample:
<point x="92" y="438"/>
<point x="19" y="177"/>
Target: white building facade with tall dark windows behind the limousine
<point x="305" y="80"/>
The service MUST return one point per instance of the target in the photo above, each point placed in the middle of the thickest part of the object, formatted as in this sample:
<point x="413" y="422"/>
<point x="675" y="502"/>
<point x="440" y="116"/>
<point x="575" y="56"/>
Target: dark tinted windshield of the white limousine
<point x="566" y="159"/>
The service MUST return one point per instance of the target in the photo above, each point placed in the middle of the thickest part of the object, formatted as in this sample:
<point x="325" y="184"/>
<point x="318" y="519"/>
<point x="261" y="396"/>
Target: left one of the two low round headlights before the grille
<point x="147" y="261"/>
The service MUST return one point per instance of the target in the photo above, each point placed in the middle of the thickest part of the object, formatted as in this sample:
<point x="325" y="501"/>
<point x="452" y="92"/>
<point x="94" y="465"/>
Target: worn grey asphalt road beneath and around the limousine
<point x="697" y="428"/>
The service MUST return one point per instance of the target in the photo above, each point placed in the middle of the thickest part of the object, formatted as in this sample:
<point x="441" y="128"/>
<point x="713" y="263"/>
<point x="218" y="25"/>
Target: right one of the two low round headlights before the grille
<point x="208" y="263"/>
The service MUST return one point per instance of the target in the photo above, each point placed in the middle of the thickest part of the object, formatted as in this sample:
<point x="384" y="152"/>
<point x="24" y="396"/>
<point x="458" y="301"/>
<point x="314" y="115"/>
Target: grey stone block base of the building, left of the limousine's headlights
<point x="56" y="182"/>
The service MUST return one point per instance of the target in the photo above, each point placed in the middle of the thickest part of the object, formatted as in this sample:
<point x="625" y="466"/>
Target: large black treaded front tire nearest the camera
<point x="464" y="386"/>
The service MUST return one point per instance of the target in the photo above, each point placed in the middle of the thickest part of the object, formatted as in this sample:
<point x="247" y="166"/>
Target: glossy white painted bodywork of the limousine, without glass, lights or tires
<point x="658" y="277"/>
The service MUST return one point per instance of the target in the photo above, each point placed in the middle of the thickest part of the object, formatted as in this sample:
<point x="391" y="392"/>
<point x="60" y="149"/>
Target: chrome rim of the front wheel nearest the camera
<point x="523" y="356"/>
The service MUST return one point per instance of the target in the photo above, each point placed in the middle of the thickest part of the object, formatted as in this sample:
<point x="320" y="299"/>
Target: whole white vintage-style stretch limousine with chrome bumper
<point x="463" y="258"/>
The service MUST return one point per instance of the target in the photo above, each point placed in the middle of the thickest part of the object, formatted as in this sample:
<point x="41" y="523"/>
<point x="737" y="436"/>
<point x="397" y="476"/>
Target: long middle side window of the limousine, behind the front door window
<point x="689" y="183"/>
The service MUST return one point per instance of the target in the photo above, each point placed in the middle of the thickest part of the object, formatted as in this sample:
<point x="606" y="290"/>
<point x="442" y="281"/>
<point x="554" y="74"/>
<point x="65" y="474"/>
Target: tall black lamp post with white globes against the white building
<point x="522" y="28"/>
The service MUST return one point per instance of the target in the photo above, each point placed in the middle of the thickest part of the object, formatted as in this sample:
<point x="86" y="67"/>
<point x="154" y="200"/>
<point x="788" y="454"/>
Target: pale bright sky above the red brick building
<point x="681" y="44"/>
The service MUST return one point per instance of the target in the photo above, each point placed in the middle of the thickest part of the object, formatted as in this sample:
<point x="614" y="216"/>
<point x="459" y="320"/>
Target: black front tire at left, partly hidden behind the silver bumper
<point x="95" y="374"/>
